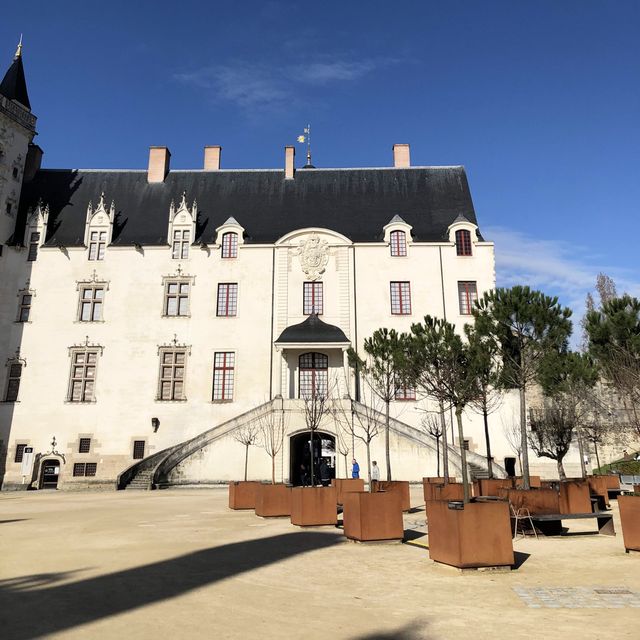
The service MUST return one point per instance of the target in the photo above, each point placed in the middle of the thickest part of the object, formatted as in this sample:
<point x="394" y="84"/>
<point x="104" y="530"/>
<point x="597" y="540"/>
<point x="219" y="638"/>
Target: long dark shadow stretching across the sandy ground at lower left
<point x="26" y="612"/>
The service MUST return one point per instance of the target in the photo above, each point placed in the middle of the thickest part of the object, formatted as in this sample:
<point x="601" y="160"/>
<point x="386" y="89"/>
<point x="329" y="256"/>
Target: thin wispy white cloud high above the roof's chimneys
<point x="256" y="87"/>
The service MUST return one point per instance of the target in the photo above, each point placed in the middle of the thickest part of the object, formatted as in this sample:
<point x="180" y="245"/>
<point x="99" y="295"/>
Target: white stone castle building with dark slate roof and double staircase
<point x="148" y="316"/>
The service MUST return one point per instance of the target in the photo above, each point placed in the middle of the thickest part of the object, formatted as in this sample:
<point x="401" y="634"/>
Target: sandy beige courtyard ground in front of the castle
<point x="179" y="564"/>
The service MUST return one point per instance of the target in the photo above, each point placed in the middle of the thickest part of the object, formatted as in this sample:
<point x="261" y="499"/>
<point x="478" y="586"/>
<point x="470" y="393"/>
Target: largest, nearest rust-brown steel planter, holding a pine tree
<point x="478" y="535"/>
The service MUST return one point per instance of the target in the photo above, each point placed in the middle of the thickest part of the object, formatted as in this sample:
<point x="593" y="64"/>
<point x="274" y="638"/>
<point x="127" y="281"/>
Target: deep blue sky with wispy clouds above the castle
<point x="539" y="100"/>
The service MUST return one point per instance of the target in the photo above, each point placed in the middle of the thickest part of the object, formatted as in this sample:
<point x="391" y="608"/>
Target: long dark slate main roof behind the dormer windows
<point x="357" y="203"/>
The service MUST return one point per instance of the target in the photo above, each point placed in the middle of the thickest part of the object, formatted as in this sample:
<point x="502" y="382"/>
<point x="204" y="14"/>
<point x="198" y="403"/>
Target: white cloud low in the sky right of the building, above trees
<point x="556" y="267"/>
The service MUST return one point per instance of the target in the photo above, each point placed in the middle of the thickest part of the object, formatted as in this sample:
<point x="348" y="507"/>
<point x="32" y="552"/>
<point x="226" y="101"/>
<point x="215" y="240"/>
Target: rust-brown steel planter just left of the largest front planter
<point x="373" y="516"/>
